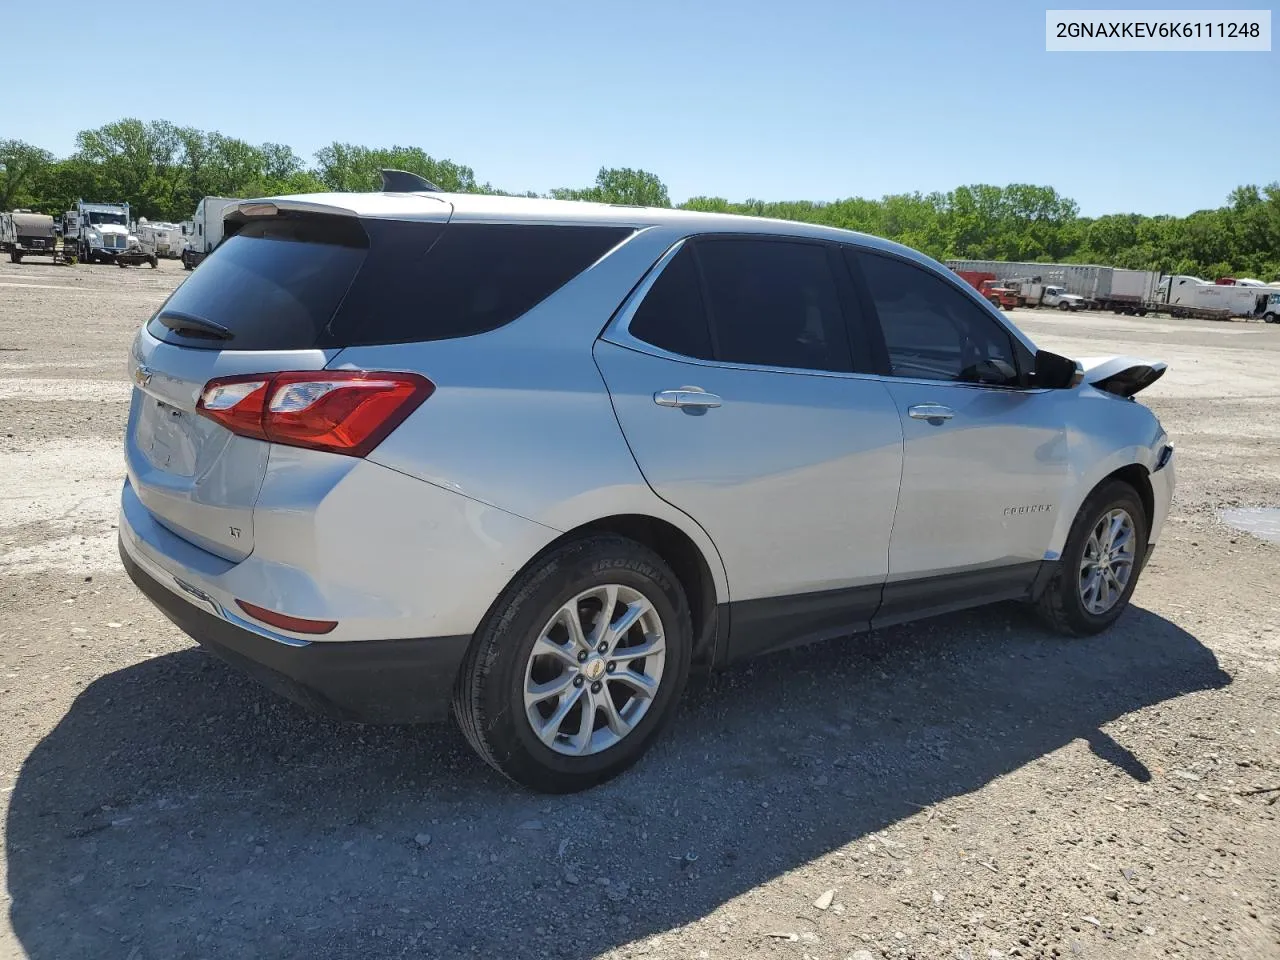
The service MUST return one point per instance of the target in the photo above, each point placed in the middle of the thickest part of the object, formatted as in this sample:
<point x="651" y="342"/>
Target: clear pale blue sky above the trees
<point x="788" y="99"/>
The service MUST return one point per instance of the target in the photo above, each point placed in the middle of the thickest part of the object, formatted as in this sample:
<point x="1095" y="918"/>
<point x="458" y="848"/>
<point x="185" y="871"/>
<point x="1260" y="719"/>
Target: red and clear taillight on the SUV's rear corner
<point x="341" y="412"/>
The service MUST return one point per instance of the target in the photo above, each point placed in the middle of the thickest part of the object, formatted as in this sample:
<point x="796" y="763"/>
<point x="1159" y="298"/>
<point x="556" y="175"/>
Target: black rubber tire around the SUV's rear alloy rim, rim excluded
<point x="519" y="753"/>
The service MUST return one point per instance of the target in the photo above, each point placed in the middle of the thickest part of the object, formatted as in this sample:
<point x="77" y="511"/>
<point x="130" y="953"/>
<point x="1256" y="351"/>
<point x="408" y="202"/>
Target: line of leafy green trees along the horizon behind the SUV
<point x="163" y="171"/>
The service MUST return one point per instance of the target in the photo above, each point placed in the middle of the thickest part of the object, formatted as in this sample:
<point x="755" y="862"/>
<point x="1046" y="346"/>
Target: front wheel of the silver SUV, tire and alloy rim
<point x="1100" y="564"/>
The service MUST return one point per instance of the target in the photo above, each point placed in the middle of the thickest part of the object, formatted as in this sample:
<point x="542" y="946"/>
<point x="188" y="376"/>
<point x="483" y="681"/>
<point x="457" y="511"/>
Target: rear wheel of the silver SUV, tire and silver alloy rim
<point x="560" y="698"/>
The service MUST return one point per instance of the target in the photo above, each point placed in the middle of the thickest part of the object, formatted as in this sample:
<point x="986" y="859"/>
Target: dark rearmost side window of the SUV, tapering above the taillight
<point x="470" y="280"/>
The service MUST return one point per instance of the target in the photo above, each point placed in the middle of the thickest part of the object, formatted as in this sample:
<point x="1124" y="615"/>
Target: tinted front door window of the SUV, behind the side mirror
<point x="932" y="331"/>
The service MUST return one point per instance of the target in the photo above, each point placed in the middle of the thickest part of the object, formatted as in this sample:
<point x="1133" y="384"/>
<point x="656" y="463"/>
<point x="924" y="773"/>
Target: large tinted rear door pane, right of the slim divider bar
<point x="774" y="304"/>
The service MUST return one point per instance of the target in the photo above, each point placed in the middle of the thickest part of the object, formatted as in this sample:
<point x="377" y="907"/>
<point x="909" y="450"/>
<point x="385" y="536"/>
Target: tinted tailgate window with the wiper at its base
<point x="273" y="286"/>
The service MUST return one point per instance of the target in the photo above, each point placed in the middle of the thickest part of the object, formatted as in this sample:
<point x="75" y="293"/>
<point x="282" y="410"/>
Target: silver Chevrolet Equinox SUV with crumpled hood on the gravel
<point x="397" y="451"/>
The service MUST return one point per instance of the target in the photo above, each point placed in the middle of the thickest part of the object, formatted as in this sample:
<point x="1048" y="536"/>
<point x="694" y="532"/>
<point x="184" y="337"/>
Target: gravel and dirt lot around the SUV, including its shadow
<point x="968" y="788"/>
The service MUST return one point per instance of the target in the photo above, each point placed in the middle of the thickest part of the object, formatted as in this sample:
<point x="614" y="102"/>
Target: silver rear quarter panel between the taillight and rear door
<point x="522" y="418"/>
